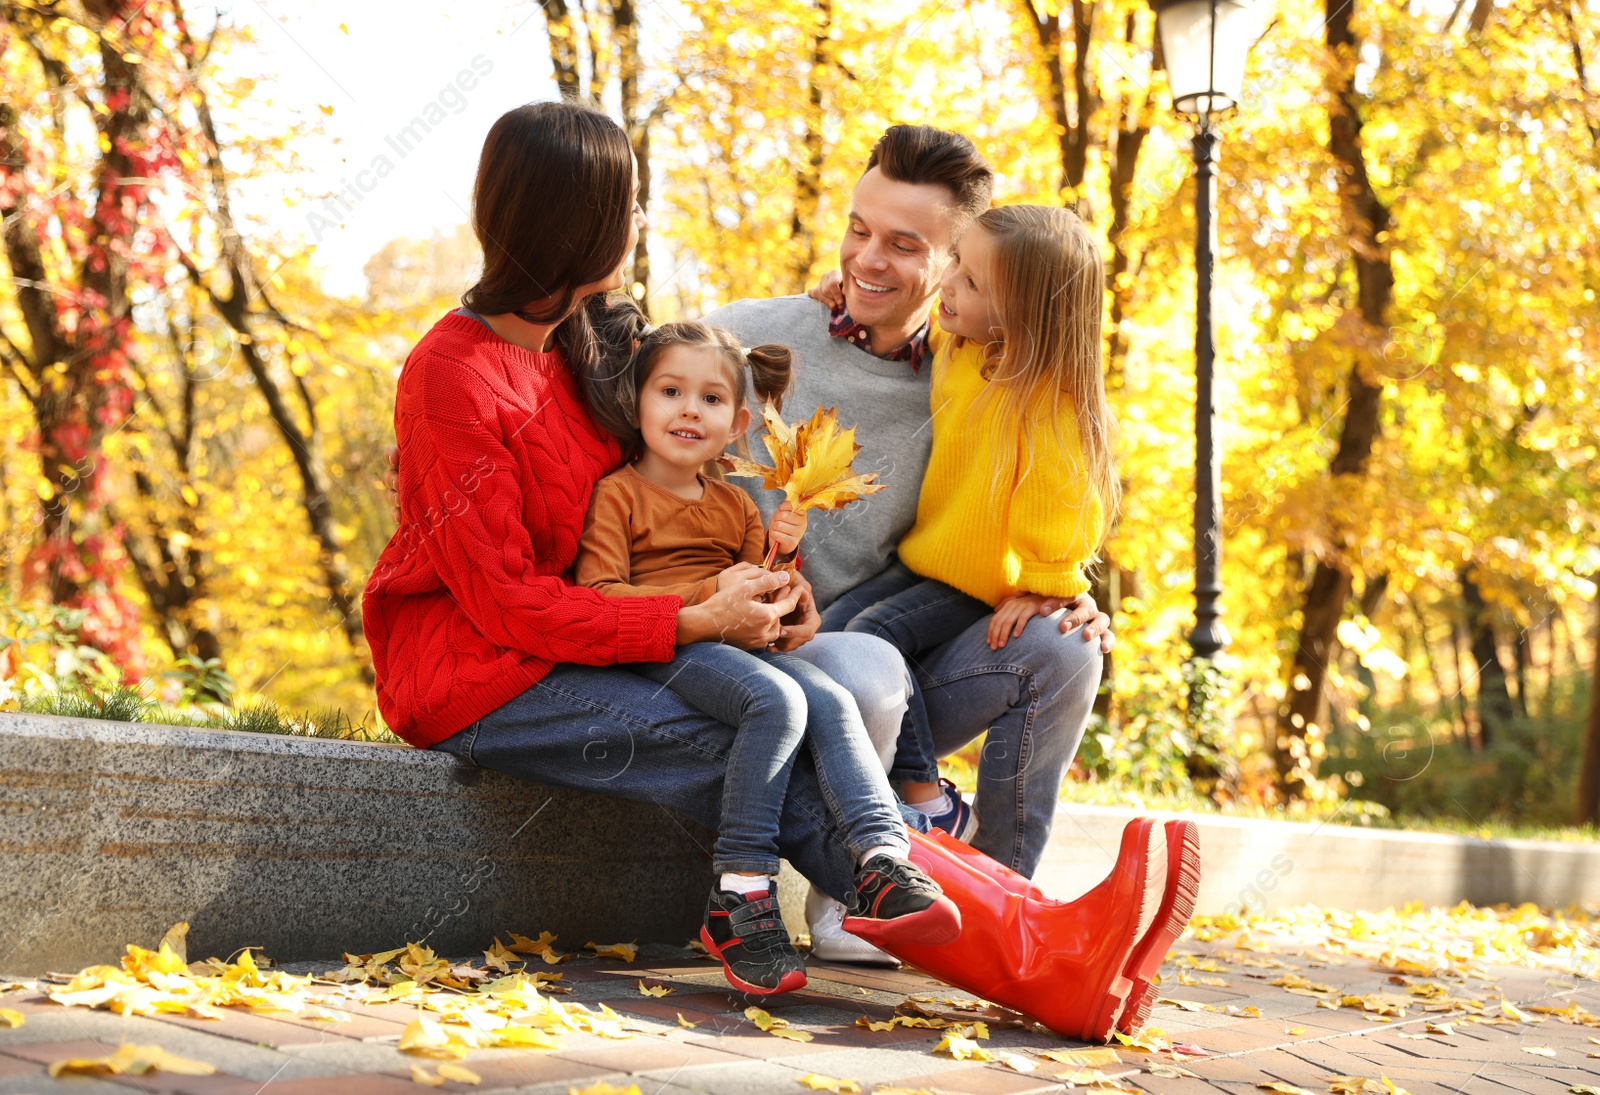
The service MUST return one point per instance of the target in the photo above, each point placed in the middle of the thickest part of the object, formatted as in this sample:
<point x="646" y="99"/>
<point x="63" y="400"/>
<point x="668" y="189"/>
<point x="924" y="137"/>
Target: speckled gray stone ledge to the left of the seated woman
<point x="110" y="833"/>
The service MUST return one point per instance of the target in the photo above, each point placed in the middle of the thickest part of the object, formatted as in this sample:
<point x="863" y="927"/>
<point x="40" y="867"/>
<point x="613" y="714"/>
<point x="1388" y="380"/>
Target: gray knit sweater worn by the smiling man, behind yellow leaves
<point x="882" y="399"/>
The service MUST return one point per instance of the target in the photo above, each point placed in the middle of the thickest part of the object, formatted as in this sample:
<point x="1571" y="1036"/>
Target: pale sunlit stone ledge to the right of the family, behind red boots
<point x="1260" y="865"/>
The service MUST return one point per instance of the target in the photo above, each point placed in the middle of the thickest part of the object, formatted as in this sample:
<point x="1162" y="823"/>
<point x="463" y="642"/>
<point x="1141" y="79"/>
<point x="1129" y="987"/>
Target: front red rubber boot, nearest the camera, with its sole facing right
<point x="1062" y="963"/>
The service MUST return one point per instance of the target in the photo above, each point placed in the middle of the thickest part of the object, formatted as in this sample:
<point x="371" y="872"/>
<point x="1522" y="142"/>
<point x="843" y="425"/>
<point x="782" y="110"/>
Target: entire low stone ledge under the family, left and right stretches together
<point x="111" y="832"/>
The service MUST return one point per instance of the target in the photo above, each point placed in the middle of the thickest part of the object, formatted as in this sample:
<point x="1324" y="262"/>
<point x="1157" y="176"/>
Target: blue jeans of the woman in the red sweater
<point x="610" y="731"/>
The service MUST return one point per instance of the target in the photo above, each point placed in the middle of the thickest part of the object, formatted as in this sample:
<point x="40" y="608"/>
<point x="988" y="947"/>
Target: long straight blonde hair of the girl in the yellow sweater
<point x="1049" y="292"/>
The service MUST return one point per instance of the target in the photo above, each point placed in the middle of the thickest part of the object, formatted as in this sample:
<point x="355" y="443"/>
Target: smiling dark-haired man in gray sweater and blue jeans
<point x="870" y="358"/>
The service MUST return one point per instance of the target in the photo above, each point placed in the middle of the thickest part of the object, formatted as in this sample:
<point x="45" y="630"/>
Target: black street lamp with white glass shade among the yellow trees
<point x="1204" y="44"/>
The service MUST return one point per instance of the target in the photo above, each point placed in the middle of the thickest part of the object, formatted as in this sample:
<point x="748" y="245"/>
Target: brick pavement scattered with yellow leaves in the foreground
<point x="1286" y="1037"/>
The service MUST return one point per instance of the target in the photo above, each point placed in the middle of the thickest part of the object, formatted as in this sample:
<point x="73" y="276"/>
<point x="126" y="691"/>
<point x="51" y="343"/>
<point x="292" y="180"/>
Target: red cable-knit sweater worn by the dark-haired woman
<point x="473" y="603"/>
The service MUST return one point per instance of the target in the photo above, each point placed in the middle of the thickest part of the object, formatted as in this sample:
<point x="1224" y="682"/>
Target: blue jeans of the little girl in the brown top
<point x="777" y="702"/>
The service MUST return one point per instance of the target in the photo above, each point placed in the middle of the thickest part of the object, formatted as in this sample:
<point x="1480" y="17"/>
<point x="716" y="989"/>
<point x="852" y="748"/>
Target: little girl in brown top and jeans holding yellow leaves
<point x="665" y="526"/>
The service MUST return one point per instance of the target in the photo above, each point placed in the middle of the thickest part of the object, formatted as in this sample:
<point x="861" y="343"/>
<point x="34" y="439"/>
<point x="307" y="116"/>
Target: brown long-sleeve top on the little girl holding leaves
<point x="641" y="540"/>
